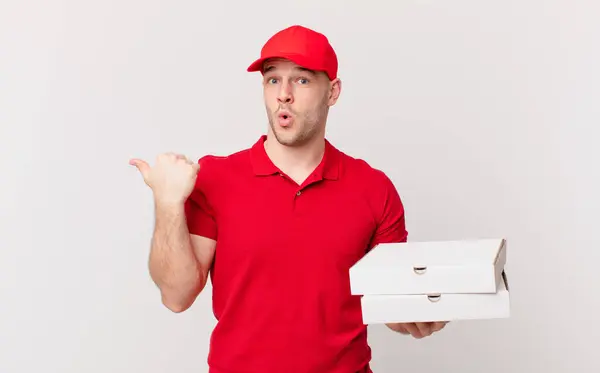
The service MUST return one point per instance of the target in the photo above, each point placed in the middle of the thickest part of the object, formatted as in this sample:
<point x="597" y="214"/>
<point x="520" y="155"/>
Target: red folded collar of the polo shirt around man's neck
<point x="262" y="165"/>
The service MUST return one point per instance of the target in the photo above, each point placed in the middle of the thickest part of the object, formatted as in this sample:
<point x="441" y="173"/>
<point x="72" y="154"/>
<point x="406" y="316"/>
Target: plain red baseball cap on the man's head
<point x="303" y="46"/>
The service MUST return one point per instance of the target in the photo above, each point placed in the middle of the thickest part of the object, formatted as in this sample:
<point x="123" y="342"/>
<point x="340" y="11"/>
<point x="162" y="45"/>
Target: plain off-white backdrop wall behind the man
<point x="485" y="115"/>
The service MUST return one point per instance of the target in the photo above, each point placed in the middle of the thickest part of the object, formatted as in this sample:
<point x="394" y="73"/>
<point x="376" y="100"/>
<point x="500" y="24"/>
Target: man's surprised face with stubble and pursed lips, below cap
<point x="297" y="101"/>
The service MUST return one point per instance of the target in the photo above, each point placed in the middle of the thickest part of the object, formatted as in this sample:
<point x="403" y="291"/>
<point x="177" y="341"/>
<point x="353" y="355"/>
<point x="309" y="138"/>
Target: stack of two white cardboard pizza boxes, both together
<point x="433" y="281"/>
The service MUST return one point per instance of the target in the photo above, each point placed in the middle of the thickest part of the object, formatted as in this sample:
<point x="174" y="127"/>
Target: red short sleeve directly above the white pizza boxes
<point x="391" y="224"/>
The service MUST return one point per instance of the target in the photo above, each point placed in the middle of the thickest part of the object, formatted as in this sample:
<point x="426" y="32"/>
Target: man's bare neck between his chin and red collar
<point x="298" y="162"/>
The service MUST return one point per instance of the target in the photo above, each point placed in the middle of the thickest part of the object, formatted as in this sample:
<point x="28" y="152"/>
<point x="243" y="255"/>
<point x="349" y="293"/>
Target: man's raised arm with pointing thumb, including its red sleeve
<point x="179" y="262"/>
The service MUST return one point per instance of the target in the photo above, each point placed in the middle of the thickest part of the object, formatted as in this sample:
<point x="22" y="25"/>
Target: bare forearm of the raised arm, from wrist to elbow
<point x="173" y="265"/>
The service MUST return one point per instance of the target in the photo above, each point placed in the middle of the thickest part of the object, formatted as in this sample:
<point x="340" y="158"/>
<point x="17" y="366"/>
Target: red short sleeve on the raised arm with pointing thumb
<point x="199" y="214"/>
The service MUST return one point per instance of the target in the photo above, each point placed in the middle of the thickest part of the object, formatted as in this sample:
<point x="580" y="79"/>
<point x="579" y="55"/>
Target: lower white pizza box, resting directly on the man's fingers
<point x="379" y="309"/>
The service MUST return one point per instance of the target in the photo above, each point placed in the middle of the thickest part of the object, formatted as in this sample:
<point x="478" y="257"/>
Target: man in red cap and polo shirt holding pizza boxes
<point x="277" y="226"/>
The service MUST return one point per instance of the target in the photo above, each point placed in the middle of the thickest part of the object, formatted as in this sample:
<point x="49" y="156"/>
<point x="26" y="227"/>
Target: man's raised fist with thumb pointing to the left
<point x="171" y="179"/>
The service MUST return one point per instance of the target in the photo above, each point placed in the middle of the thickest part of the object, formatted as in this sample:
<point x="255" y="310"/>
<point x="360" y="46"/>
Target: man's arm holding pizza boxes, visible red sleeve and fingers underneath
<point x="391" y="228"/>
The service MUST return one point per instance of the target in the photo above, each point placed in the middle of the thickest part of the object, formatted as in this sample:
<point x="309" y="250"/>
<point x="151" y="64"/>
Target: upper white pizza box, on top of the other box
<point x="458" y="266"/>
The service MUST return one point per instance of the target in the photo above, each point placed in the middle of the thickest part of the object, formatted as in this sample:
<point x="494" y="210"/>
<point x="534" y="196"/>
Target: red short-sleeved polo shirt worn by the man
<point x="281" y="291"/>
